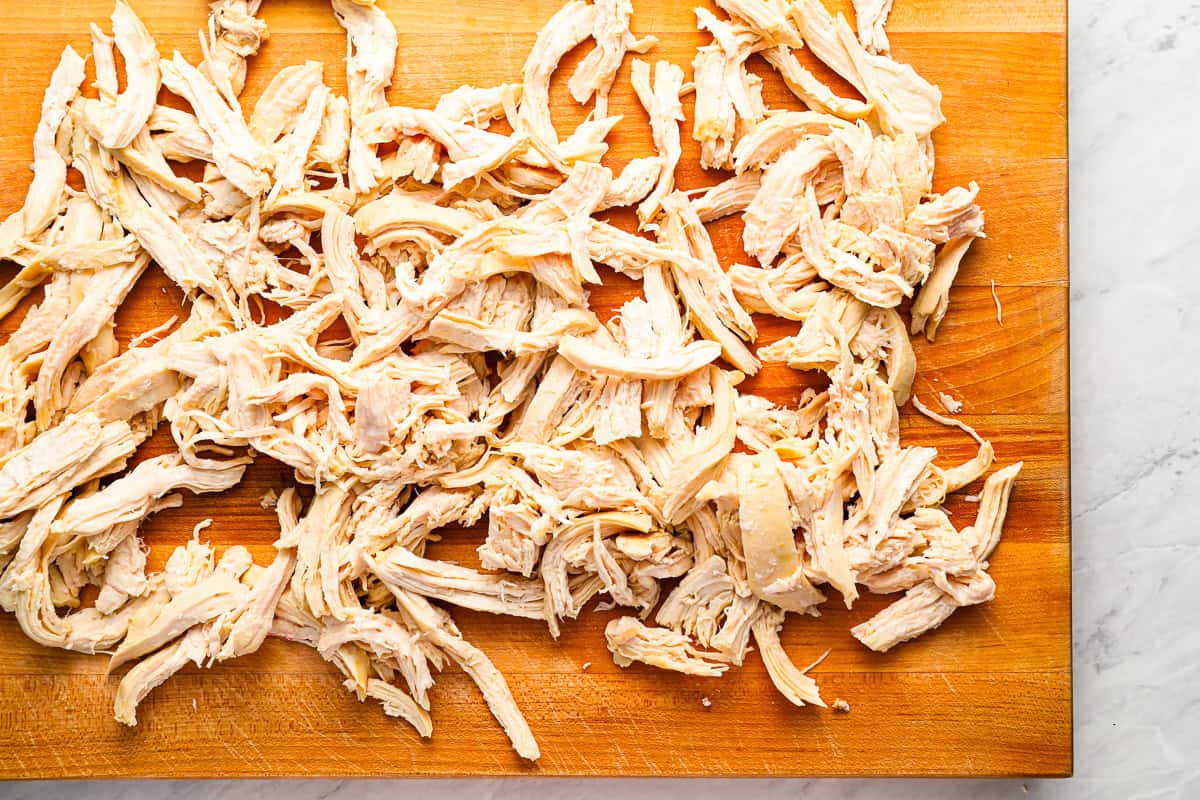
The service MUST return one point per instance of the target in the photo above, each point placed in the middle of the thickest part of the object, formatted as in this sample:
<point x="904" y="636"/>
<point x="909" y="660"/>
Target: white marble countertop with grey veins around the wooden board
<point x="1136" y="342"/>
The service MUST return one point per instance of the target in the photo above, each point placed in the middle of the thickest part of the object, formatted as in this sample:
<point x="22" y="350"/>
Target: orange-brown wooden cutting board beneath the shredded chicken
<point x="988" y="694"/>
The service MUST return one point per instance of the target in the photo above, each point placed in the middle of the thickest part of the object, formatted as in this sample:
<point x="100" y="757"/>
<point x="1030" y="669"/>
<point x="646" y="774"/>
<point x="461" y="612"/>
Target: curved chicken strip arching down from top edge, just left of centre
<point x="563" y="33"/>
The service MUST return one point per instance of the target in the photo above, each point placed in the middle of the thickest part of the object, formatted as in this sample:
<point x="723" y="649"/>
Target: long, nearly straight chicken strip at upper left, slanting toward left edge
<point x="45" y="197"/>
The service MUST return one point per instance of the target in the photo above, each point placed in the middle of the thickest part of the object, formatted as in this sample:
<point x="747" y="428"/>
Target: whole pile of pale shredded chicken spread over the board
<point x="476" y="384"/>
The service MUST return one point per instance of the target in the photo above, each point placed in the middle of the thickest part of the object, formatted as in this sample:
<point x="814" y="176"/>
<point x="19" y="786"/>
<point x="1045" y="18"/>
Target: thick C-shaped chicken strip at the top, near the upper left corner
<point x="116" y="121"/>
